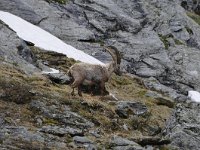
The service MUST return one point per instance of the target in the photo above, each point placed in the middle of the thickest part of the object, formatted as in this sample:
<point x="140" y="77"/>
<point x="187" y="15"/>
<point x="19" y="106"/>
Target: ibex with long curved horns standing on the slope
<point x="95" y="74"/>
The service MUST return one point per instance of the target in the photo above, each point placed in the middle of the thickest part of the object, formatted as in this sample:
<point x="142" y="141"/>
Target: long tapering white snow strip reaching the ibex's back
<point x="43" y="39"/>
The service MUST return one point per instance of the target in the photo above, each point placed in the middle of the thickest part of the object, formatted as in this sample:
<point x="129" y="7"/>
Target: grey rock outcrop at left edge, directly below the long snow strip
<point x="14" y="51"/>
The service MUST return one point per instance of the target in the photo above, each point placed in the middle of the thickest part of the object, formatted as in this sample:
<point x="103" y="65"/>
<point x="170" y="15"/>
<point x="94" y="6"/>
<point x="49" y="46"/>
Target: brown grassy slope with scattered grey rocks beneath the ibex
<point x="37" y="113"/>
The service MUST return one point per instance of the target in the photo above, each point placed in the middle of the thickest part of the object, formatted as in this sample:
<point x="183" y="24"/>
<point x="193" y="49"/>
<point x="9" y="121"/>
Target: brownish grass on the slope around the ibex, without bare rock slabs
<point x="16" y="87"/>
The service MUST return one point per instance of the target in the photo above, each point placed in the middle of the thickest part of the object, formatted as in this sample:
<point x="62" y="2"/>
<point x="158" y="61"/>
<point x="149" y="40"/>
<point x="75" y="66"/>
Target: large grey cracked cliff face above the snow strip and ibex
<point x="153" y="35"/>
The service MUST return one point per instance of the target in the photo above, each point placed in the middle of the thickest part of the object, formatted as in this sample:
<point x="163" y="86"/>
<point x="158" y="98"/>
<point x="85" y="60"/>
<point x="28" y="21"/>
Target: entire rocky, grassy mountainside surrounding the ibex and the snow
<point x="159" y="40"/>
